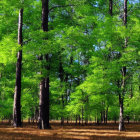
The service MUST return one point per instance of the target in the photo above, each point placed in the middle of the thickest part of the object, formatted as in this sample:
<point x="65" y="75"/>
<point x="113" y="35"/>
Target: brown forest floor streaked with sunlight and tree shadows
<point x="70" y="132"/>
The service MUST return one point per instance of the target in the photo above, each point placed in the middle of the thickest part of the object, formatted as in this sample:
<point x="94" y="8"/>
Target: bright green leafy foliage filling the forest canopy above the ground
<point x="90" y="45"/>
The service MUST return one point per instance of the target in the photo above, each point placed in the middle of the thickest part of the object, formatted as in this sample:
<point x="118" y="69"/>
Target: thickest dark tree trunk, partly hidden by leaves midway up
<point x="44" y="84"/>
